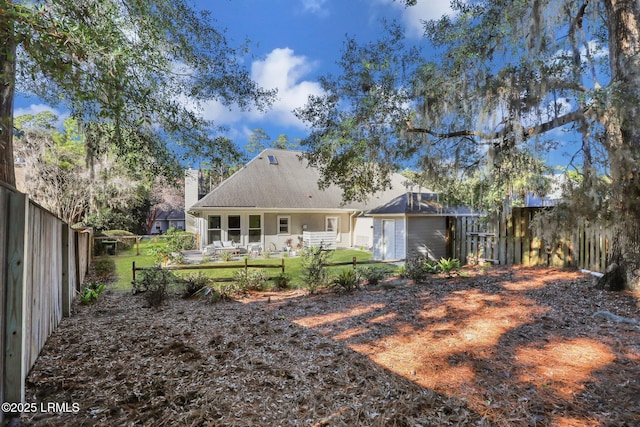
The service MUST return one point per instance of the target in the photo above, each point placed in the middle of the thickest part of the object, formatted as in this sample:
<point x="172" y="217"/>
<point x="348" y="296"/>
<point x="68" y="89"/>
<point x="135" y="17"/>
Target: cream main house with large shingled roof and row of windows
<point x="274" y="198"/>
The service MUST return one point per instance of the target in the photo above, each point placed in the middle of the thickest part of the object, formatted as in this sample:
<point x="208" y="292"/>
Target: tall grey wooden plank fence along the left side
<point x="43" y="264"/>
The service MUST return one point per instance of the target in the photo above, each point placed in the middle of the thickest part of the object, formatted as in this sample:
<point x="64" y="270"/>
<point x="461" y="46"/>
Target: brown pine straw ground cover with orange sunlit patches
<point x="505" y="347"/>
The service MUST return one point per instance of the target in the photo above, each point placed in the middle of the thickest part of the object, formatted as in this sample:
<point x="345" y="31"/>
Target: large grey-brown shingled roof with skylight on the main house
<point x="280" y="179"/>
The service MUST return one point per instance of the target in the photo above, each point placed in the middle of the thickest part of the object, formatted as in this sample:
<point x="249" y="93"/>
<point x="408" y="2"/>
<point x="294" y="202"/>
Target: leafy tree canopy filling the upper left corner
<point x="134" y="74"/>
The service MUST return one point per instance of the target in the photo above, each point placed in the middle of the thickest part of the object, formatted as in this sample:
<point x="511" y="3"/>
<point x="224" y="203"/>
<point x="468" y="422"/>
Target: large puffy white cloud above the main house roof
<point x="281" y="70"/>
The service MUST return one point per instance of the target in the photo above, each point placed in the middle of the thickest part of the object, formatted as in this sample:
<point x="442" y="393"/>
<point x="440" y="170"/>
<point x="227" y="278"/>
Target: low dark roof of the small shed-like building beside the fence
<point x="417" y="204"/>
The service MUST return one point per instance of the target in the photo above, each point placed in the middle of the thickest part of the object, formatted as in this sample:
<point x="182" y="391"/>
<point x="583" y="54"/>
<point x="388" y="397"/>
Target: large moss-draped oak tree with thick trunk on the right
<point x="508" y="77"/>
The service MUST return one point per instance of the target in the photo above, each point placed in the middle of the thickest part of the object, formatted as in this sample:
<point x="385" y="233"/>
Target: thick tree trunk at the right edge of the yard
<point x="623" y="143"/>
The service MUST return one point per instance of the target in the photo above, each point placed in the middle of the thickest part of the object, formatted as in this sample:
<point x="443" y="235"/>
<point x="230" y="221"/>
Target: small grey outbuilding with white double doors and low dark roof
<point x="412" y="223"/>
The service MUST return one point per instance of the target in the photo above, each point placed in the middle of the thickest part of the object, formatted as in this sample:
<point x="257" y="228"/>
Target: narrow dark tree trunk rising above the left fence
<point x="7" y="90"/>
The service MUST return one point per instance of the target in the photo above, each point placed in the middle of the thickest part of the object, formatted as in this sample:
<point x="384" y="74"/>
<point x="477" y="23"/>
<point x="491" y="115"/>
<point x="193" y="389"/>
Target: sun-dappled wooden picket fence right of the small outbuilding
<point x="510" y="240"/>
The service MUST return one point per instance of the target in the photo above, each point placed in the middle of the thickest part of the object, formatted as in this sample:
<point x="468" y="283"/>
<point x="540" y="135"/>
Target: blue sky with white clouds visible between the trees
<point x="292" y="42"/>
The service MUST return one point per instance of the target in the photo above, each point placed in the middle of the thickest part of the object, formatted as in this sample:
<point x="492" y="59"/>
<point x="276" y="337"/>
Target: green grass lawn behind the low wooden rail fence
<point x="124" y="260"/>
